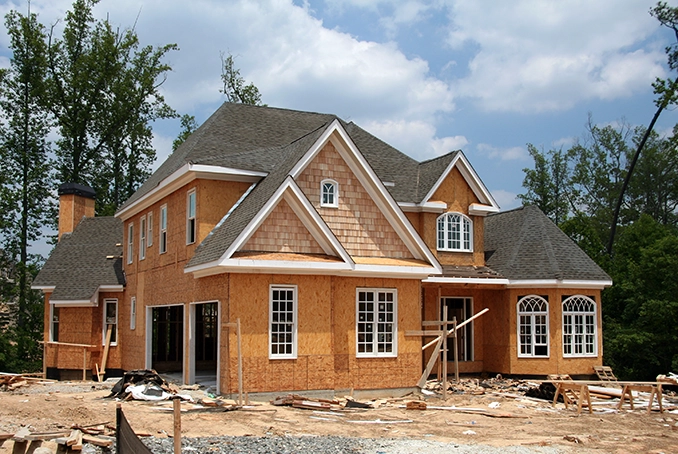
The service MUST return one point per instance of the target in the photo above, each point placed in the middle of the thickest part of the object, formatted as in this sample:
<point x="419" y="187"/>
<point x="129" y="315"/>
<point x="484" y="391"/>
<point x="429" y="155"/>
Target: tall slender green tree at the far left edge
<point x="25" y="189"/>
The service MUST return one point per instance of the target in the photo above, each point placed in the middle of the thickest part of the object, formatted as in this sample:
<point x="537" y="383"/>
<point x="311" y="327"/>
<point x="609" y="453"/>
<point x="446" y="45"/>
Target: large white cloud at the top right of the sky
<point x="544" y="55"/>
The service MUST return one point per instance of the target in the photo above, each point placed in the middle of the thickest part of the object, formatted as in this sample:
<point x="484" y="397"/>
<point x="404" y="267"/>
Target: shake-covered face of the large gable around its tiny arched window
<point x="358" y="222"/>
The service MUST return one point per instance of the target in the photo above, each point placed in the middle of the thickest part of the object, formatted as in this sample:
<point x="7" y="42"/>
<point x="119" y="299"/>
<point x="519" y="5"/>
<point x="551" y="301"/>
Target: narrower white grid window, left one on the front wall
<point x="283" y="322"/>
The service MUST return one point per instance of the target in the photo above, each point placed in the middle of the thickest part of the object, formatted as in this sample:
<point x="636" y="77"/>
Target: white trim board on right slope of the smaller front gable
<point x="314" y="223"/>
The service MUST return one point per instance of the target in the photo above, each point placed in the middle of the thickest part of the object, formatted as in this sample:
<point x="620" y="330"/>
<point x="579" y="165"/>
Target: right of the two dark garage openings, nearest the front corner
<point x="205" y="354"/>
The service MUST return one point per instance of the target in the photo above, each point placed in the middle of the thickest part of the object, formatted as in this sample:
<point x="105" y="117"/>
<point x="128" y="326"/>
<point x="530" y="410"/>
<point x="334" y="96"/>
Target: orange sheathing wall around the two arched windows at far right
<point x="555" y="363"/>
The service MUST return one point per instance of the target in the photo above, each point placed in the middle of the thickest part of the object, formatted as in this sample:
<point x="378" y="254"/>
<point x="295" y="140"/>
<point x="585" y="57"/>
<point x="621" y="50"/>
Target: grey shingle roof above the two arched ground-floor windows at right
<point x="524" y="244"/>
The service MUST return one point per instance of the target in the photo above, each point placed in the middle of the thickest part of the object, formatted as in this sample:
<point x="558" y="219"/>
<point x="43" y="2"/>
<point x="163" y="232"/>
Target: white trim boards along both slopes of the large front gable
<point x="361" y="169"/>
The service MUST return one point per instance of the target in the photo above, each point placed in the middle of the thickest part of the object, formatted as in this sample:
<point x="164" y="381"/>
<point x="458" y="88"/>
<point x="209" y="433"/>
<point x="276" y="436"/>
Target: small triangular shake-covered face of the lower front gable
<point x="282" y="231"/>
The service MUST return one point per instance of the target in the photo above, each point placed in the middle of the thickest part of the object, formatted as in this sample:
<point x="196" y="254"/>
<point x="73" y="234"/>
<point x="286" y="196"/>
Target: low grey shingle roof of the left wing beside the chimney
<point x="84" y="262"/>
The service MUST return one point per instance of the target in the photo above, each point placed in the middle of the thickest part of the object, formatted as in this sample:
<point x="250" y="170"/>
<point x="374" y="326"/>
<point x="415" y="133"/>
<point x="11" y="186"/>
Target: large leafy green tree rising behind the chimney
<point x="104" y="94"/>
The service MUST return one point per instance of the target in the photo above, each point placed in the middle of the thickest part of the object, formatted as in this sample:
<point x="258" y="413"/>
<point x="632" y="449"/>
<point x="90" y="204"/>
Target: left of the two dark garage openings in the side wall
<point x="168" y="339"/>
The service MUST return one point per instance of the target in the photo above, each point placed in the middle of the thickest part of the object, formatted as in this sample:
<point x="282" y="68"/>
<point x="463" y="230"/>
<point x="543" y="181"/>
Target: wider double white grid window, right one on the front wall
<point x="375" y="353"/>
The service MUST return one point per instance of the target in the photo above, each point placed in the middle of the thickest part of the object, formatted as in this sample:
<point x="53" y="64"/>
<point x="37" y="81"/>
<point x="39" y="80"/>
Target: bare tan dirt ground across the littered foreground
<point x="529" y="422"/>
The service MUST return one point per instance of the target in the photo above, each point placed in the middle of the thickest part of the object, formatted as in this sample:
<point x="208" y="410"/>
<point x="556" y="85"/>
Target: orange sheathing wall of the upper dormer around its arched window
<point x="457" y="194"/>
